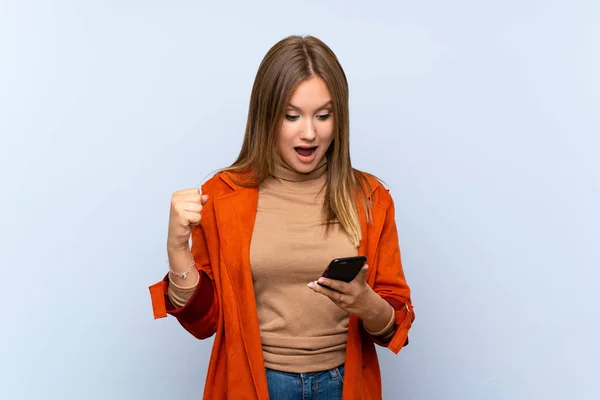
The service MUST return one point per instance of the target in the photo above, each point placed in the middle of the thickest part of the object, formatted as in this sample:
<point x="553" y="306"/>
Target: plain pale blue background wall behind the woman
<point x="481" y="116"/>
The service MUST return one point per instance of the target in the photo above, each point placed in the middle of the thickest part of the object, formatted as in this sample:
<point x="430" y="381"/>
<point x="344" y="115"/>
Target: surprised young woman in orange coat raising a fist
<point x="264" y="229"/>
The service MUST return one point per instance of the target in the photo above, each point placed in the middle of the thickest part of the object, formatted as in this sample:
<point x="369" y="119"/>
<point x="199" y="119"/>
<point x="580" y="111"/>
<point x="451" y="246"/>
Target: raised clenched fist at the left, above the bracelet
<point x="186" y="209"/>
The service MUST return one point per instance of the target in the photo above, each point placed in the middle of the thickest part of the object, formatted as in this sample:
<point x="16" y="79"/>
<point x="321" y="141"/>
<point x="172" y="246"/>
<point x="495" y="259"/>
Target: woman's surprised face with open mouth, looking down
<point x="307" y="128"/>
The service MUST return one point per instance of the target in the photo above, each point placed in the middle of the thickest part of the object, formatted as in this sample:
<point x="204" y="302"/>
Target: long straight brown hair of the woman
<point x="288" y="63"/>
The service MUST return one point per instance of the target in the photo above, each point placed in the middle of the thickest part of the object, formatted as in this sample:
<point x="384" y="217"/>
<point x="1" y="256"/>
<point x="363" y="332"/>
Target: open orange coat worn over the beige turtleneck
<point x="224" y="303"/>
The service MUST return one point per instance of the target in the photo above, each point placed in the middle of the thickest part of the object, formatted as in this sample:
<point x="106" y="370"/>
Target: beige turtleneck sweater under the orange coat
<point x="301" y="331"/>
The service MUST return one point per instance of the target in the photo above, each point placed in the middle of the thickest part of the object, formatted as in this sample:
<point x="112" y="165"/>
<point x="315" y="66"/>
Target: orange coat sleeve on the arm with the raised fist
<point x="200" y="314"/>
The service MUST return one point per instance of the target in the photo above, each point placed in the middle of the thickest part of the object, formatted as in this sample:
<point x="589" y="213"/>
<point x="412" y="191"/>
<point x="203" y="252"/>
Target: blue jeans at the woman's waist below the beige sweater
<point x="322" y="385"/>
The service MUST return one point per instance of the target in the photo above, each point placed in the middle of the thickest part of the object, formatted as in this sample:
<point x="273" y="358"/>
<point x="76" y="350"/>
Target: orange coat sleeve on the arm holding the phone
<point x="390" y="282"/>
